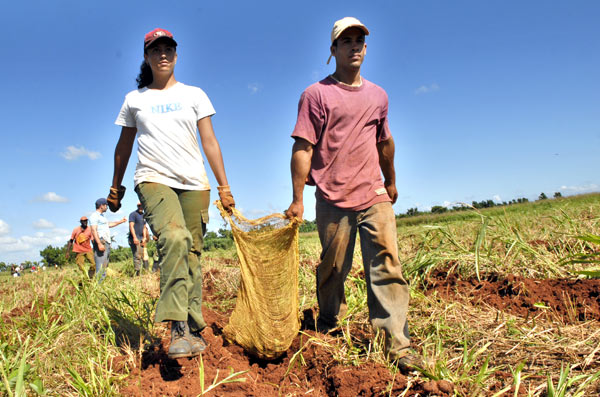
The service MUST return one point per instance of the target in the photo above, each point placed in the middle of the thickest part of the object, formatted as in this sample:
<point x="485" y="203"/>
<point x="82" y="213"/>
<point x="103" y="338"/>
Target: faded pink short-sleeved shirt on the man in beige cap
<point x="344" y="124"/>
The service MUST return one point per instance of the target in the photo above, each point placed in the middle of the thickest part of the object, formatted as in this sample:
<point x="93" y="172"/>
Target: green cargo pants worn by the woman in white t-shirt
<point x="178" y="218"/>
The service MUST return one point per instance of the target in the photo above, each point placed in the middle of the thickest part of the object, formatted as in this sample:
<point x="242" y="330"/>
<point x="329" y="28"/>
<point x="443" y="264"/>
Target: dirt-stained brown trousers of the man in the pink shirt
<point x="387" y="291"/>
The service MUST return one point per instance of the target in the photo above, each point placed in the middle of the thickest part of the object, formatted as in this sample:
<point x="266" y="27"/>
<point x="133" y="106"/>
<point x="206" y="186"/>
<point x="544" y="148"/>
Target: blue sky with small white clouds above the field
<point x="488" y="99"/>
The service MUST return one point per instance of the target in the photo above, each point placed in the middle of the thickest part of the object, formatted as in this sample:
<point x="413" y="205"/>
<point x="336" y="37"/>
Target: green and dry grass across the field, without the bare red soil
<point x="59" y="334"/>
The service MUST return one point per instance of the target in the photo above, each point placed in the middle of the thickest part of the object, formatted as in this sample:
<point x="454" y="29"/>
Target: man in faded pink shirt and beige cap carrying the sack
<point x="342" y="145"/>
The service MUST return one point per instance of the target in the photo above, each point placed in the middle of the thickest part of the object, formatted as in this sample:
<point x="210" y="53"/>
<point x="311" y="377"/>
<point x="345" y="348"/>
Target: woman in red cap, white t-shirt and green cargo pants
<point x="171" y="182"/>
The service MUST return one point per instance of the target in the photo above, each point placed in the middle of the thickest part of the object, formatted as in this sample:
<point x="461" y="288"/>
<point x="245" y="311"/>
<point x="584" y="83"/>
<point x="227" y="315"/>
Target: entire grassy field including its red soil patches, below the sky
<point x="486" y="314"/>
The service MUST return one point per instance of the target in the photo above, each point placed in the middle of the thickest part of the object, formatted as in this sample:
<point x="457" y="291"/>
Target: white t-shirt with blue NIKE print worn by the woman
<point x="166" y="122"/>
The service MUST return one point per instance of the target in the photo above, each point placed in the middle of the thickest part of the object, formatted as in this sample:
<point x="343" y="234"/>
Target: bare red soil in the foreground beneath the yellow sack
<point x="320" y="375"/>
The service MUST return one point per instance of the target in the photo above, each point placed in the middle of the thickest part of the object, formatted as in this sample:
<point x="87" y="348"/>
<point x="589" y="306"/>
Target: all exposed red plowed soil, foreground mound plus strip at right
<point x="314" y="372"/>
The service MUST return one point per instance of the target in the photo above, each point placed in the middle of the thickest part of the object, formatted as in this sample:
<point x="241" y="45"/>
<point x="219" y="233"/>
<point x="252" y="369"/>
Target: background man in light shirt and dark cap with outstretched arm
<point x="101" y="233"/>
